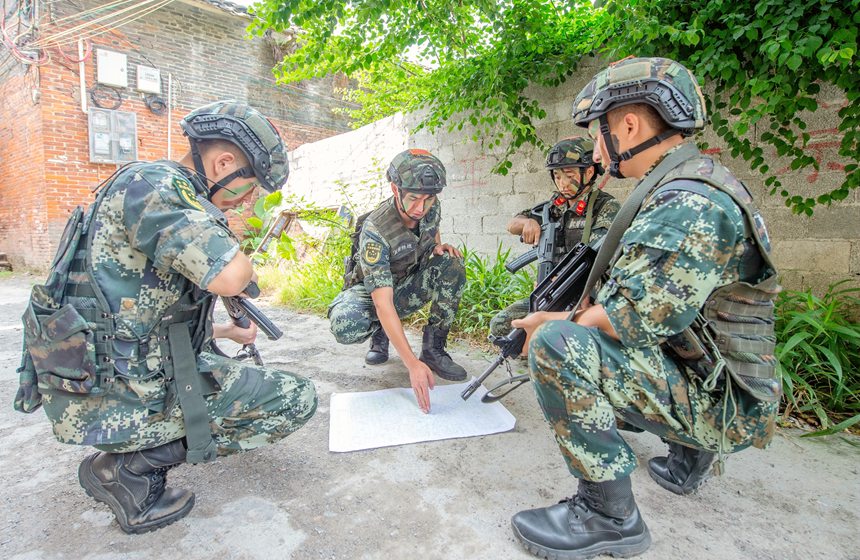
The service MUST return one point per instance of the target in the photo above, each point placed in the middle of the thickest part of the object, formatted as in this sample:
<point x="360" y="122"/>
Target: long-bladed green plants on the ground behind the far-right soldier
<point x="818" y="347"/>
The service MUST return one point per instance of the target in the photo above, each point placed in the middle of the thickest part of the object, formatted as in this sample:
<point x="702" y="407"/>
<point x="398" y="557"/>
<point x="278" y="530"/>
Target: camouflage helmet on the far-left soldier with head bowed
<point x="248" y="129"/>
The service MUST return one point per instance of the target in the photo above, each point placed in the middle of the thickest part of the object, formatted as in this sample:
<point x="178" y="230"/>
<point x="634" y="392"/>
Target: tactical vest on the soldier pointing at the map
<point x="406" y="249"/>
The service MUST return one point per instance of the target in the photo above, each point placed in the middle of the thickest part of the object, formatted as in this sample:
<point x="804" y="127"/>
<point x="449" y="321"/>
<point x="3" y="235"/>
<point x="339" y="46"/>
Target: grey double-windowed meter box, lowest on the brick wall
<point x="113" y="136"/>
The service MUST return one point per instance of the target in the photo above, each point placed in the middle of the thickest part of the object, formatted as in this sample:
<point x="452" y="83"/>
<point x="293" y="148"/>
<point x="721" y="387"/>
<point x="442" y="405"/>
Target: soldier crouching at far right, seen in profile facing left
<point x="680" y="341"/>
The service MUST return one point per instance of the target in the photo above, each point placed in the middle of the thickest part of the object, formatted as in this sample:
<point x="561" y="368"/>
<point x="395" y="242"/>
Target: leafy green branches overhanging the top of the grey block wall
<point x="467" y="64"/>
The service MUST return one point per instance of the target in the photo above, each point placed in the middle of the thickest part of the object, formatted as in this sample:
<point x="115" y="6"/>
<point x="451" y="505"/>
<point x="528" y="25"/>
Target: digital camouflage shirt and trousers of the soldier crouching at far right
<point x="680" y="247"/>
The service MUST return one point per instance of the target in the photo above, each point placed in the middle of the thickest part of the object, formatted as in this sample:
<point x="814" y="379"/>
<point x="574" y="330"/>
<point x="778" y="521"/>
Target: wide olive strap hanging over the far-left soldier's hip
<point x="201" y="446"/>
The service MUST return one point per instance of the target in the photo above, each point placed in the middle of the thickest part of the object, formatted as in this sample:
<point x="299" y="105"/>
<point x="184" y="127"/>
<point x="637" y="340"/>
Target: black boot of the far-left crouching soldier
<point x="132" y="485"/>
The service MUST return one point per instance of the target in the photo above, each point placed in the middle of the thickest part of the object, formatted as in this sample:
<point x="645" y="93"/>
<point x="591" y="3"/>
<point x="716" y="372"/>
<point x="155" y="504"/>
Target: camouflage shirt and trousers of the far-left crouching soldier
<point x="151" y="246"/>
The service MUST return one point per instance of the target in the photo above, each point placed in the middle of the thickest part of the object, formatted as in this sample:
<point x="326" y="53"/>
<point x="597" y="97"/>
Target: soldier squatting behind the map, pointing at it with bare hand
<point x="403" y="264"/>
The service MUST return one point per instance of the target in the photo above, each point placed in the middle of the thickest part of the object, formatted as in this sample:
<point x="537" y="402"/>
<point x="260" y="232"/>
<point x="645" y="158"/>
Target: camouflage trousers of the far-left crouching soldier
<point x="254" y="406"/>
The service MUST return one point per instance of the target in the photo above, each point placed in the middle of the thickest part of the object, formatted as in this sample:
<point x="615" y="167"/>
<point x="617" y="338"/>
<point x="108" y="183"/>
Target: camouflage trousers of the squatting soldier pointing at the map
<point x="439" y="279"/>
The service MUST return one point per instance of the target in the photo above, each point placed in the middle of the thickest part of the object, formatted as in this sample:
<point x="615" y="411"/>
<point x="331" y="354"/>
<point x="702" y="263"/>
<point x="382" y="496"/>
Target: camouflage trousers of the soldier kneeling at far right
<point x="584" y="379"/>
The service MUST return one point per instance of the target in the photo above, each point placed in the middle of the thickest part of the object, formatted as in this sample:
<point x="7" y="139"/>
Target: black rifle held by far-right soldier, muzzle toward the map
<point x="561" y="290"/>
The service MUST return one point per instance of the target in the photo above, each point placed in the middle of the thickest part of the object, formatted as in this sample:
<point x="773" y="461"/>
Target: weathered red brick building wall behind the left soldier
<point x="44" y="153"/>
